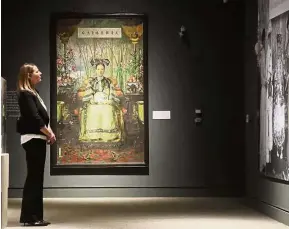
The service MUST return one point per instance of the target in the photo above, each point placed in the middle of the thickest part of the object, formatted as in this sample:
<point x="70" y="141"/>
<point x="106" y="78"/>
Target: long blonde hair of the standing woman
<point x="24" y="82"/>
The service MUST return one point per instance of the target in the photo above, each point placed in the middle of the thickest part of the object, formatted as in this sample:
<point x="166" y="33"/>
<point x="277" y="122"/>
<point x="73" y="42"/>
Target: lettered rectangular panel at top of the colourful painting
<point x="99" y="33"/>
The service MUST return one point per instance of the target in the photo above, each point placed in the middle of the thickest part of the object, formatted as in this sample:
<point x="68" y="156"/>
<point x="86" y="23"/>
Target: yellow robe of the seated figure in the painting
<point x="101" y="116"/>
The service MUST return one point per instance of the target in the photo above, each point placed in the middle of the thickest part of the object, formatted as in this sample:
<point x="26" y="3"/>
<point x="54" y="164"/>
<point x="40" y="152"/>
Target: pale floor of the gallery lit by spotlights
<point x="147" y="213"/>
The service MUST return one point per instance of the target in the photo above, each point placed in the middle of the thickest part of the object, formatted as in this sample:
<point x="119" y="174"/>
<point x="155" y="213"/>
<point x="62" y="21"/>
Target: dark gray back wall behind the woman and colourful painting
<point x="208" y="74"/>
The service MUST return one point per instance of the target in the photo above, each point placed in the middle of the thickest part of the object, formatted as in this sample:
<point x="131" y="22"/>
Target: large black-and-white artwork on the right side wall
<point x="272" y="51"/>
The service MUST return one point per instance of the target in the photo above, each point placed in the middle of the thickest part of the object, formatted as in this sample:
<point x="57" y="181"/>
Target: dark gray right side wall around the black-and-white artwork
<point x="272" y="194"/>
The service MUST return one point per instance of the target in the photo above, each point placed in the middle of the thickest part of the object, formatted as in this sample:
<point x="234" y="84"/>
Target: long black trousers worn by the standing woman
<point x="32" y="200"/>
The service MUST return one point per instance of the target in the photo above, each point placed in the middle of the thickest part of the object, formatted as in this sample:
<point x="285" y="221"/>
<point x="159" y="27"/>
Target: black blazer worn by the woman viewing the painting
<point x="33" y="116"/>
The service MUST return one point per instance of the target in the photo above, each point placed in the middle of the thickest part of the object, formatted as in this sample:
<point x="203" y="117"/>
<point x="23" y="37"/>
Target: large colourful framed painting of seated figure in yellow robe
<point x="99" y="94"/>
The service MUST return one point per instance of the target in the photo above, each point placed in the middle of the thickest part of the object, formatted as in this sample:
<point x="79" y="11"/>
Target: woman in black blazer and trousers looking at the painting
<point x="33" y="126"/>
